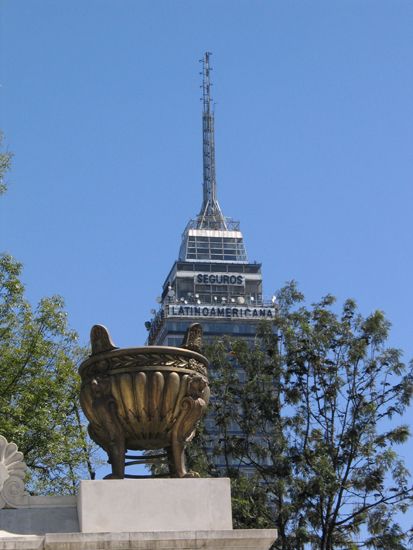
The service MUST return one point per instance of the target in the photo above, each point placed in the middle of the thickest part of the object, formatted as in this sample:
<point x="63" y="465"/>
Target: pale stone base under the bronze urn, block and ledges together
<point x="144" y="514"/>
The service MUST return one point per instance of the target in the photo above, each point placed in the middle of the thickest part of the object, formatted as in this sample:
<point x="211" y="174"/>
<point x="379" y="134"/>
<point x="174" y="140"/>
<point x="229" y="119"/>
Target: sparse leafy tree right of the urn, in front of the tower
<point x="315" y="404"/>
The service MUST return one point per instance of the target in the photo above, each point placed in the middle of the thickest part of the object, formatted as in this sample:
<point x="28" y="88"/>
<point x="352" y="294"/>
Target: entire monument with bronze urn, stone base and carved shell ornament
<point x="148" y="398"/>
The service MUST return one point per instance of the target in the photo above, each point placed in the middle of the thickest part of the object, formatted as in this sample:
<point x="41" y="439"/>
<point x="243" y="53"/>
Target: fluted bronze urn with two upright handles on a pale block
<point x="144" y="398"/>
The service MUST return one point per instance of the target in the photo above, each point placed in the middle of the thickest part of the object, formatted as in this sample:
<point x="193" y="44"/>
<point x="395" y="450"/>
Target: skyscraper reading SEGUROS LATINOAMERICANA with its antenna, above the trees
<point x="212" y="282"/>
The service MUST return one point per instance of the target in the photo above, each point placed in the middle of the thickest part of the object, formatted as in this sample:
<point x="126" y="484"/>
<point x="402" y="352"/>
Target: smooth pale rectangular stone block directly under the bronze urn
<point x="131" y="505"/>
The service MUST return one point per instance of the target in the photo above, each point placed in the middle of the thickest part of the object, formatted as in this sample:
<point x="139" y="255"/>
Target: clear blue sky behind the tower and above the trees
<point x="314" y="127"/>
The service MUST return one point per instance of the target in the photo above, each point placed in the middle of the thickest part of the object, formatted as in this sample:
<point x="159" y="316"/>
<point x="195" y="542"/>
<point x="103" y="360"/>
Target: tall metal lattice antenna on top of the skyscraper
<point x="210" y="216"/>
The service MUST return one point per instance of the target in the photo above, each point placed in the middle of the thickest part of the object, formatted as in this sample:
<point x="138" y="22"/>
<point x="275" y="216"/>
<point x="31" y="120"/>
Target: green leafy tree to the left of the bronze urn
<point x="39" y="386"/>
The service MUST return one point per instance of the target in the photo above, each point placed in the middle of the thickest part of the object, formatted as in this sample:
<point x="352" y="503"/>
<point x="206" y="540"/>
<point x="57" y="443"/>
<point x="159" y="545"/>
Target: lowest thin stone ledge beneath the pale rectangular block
<point x="239" y="539"/>
